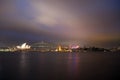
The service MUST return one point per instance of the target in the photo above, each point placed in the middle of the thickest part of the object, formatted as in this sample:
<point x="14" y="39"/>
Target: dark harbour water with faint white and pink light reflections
<point x="59" y="66"/>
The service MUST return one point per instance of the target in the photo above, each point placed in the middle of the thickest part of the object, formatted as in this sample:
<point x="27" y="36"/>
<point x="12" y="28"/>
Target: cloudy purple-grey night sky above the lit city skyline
<point x="93" y="22"/>
